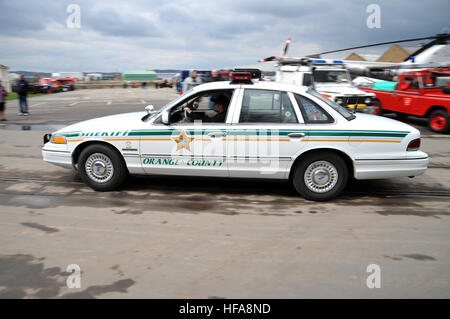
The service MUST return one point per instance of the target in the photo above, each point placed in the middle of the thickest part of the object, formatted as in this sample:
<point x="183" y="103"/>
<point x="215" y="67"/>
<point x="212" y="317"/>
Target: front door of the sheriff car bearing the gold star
<point x="188" y="148"/>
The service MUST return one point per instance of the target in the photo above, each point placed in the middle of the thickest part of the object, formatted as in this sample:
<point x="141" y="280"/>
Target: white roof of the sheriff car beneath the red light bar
<point x="267" y="85"/>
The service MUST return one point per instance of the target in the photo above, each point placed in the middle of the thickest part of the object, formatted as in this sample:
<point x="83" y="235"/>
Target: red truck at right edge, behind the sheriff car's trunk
<point x="424" y="93"/>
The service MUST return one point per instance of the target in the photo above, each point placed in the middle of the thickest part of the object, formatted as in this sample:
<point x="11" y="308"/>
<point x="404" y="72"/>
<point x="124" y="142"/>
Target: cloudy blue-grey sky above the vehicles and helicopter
<point x="126" y="35"/>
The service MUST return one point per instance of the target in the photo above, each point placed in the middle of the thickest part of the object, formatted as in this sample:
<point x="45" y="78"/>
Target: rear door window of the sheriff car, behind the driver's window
<point x="266" y="106"/>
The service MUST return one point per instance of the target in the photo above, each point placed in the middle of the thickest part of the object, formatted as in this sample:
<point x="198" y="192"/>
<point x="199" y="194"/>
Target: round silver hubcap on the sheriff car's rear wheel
<point x="321" y="176"/>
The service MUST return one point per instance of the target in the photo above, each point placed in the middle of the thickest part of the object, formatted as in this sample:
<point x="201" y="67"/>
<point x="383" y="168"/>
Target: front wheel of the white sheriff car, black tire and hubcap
<point x="102" y="158"/>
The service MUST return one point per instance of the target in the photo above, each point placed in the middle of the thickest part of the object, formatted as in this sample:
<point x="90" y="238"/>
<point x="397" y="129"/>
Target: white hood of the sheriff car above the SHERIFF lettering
<point x="125" y="121"/>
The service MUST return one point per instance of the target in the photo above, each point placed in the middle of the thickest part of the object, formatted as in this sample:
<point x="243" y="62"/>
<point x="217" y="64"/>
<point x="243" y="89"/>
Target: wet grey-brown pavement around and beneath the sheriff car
<point x="162" y="237"/>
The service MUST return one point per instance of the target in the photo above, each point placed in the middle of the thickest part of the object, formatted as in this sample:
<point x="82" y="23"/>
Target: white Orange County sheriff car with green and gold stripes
<point x="267" y="130"/>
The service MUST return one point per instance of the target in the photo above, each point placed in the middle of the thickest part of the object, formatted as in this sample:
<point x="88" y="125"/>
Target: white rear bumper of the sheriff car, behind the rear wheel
<point x="379" y="169"/>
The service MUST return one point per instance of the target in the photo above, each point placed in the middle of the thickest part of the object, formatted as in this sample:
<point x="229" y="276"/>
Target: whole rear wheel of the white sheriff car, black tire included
<point x="328" y="162"/>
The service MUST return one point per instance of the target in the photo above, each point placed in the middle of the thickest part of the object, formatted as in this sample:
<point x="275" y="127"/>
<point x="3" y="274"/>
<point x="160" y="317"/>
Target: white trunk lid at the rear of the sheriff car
<point x="379" y="123"/>
